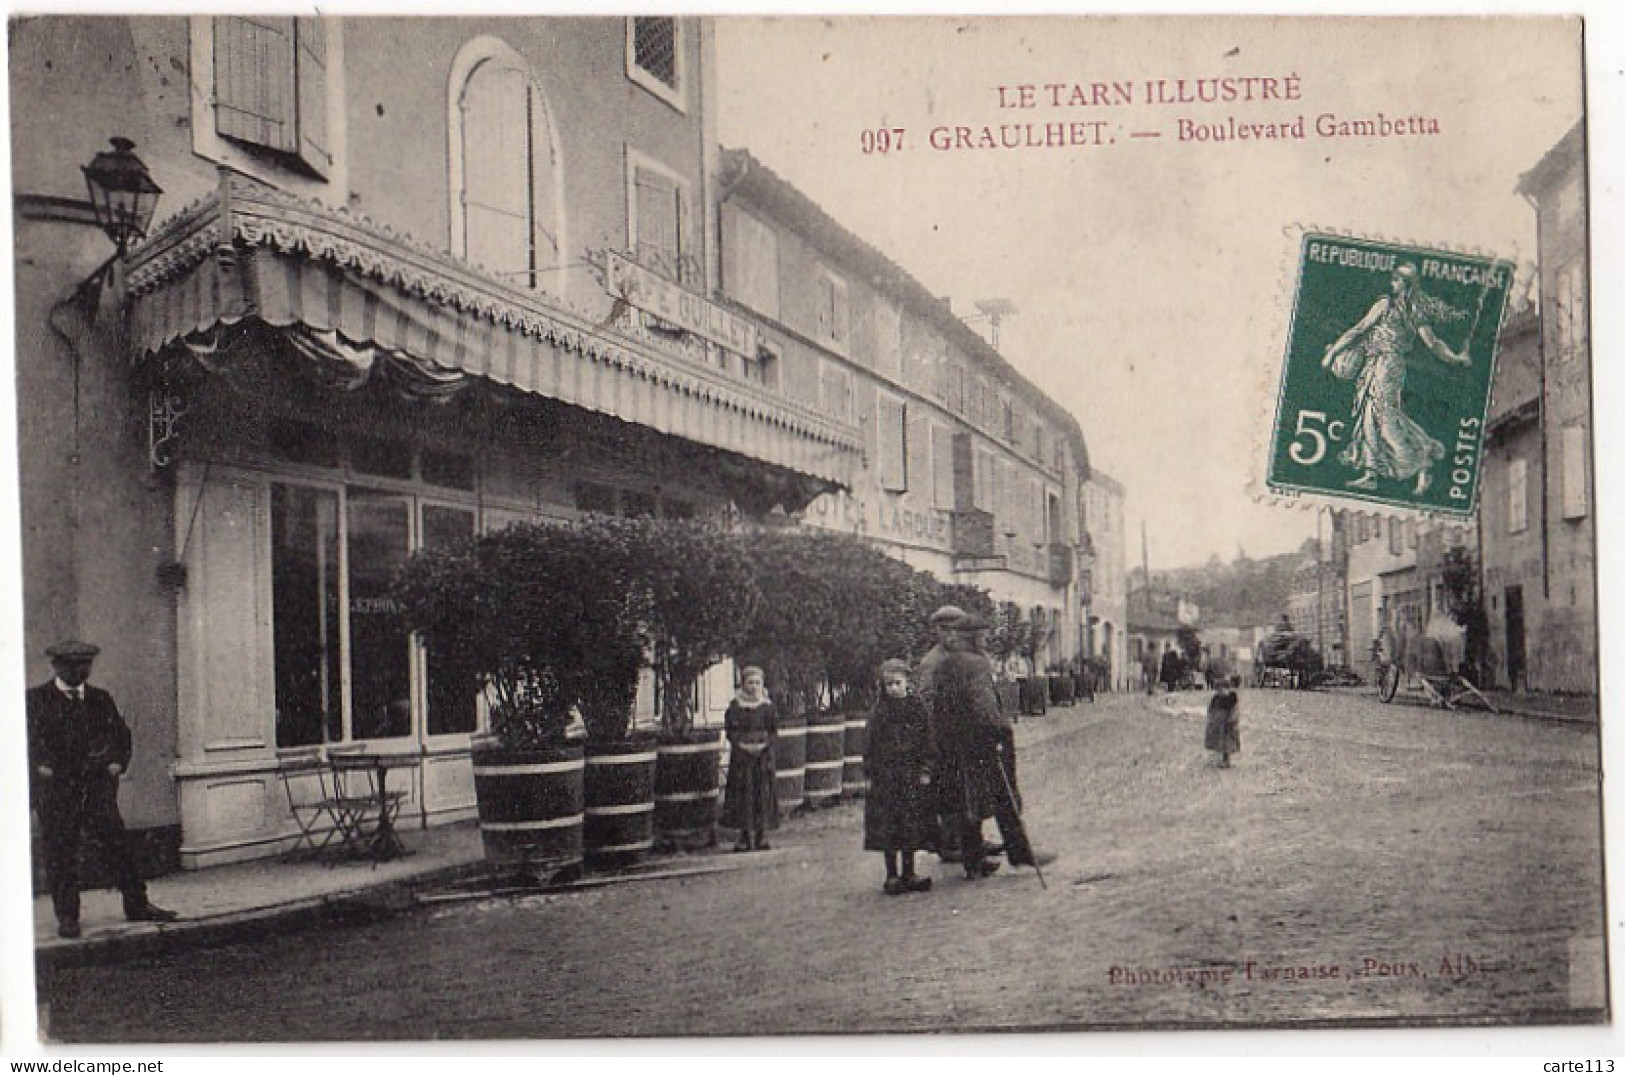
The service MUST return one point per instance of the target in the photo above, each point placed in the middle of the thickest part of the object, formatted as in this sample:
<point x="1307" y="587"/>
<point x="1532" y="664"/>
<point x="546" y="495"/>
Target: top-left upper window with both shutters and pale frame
<point x="274" y="82"/>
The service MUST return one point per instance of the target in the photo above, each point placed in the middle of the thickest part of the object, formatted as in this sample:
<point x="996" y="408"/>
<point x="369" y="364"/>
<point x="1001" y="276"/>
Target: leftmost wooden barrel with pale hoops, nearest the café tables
<point x="531" y="808"/>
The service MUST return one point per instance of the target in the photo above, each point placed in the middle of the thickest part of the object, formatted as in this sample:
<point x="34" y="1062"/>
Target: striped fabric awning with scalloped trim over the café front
<point x="360" y="298"/>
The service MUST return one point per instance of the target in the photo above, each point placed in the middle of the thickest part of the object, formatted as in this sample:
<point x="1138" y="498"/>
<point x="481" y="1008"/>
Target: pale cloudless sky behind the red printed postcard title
<point x="1151" y="274"/>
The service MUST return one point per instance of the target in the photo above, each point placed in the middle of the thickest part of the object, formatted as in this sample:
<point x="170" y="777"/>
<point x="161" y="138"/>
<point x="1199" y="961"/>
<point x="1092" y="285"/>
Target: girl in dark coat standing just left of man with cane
<point x="899" y="818"/>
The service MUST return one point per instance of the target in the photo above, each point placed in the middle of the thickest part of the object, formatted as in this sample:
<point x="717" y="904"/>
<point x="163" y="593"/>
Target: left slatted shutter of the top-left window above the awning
<point x="254" y="80"/>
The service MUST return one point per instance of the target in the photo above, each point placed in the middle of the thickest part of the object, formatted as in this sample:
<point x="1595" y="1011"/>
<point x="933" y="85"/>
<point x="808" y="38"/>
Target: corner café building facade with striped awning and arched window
<point x="414" y="280"/>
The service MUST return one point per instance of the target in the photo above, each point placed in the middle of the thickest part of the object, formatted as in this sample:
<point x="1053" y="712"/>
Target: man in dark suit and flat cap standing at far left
<point x="79" y="748"/>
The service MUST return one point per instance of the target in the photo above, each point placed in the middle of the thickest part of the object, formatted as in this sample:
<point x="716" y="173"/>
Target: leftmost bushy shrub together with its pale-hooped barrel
<point x="526" y="615"/>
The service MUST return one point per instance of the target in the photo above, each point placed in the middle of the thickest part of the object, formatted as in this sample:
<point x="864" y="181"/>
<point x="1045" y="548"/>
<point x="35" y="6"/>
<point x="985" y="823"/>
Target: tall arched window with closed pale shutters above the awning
<point x="506" y="178"/>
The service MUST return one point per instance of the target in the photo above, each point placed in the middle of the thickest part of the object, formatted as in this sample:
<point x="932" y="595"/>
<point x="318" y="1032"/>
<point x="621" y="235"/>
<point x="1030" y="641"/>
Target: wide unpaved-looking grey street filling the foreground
<point x="1363" y="861"/>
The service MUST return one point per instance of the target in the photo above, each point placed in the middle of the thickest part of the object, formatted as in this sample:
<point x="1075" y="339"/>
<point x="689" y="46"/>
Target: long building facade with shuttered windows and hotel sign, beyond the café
<point x="968" y="467"/>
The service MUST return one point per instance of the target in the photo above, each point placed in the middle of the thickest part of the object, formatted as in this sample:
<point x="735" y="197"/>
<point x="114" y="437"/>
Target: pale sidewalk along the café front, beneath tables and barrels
<point x="249" y="900"/>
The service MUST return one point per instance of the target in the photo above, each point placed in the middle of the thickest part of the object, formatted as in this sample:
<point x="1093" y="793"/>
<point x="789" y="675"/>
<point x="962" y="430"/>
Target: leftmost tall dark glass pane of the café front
<point x="305" y="616"/>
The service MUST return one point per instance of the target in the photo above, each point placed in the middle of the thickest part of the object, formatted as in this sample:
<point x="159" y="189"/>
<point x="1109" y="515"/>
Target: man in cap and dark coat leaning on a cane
<point x="973" y="735"/>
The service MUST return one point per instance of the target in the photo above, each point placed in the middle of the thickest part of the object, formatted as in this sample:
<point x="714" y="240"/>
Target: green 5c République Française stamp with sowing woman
<point x="1387" y="378"/>
